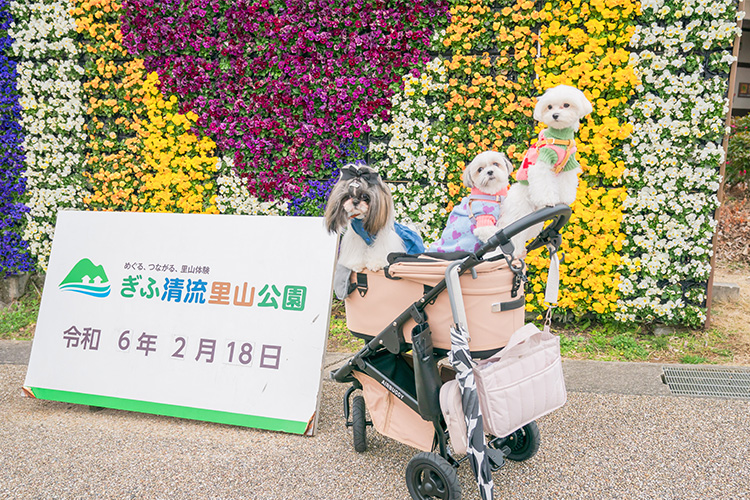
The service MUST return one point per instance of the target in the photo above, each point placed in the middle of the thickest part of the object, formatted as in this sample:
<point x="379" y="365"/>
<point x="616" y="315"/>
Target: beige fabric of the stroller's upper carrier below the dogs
<point x="386" y="299"/>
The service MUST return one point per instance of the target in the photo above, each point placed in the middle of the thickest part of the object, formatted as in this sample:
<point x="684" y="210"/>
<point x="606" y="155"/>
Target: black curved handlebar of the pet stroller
<point x="558" y="214"/>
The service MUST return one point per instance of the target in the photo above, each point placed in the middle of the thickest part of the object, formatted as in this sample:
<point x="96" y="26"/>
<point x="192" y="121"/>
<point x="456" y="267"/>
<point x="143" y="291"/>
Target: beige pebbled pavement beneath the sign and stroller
<point x="621" y="435"/>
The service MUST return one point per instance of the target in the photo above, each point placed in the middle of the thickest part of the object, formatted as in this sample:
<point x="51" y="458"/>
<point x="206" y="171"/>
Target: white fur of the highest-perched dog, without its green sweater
<point x="560" y="107"/>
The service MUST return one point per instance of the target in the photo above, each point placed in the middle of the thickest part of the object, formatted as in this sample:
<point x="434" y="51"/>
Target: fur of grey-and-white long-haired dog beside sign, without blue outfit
<point x="368" y="200"/>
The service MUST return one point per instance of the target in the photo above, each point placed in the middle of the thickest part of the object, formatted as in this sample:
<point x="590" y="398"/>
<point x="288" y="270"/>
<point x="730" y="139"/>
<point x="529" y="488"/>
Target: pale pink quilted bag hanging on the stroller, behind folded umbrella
<point x="516" y="386"/>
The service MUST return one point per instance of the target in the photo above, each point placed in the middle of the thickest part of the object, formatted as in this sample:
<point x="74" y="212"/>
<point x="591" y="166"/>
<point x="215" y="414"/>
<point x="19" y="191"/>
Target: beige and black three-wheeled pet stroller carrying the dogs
<point x="411" y="316"/>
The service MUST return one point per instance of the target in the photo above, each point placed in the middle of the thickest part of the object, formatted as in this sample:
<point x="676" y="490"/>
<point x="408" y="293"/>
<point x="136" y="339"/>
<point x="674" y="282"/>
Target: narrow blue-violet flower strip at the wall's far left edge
<point x="14" y="255"/>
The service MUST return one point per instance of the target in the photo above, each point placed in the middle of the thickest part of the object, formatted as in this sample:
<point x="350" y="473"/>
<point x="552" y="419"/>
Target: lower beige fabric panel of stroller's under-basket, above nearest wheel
<point x="391" y="417"/>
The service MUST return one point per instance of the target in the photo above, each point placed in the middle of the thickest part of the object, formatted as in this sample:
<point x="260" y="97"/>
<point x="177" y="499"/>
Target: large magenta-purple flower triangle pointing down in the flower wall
<point x="282" y="83"/>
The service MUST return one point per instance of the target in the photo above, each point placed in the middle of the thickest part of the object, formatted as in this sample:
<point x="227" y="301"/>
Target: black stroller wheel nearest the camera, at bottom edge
<point x="429" y="475"/>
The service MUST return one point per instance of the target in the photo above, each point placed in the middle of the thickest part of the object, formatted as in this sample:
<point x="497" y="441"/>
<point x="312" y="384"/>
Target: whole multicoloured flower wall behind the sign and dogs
<point x="251" y="107"/>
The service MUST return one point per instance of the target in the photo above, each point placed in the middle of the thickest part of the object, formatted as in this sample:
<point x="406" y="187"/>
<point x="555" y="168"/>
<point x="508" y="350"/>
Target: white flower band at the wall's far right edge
<point x="673" y="159"/>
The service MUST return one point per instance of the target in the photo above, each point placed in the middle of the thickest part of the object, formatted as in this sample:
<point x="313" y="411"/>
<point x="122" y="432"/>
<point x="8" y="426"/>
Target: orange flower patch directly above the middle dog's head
<point x="489" y="76"/>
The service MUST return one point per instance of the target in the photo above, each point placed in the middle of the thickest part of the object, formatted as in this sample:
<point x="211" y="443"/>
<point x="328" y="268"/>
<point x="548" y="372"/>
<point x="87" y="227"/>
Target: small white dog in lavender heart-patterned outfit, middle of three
<point x="472" y="222"/>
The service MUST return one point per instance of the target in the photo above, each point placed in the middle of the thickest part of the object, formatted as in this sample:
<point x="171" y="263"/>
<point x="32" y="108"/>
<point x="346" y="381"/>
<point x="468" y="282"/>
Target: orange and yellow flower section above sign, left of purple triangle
<point x="143" y="155"/>
